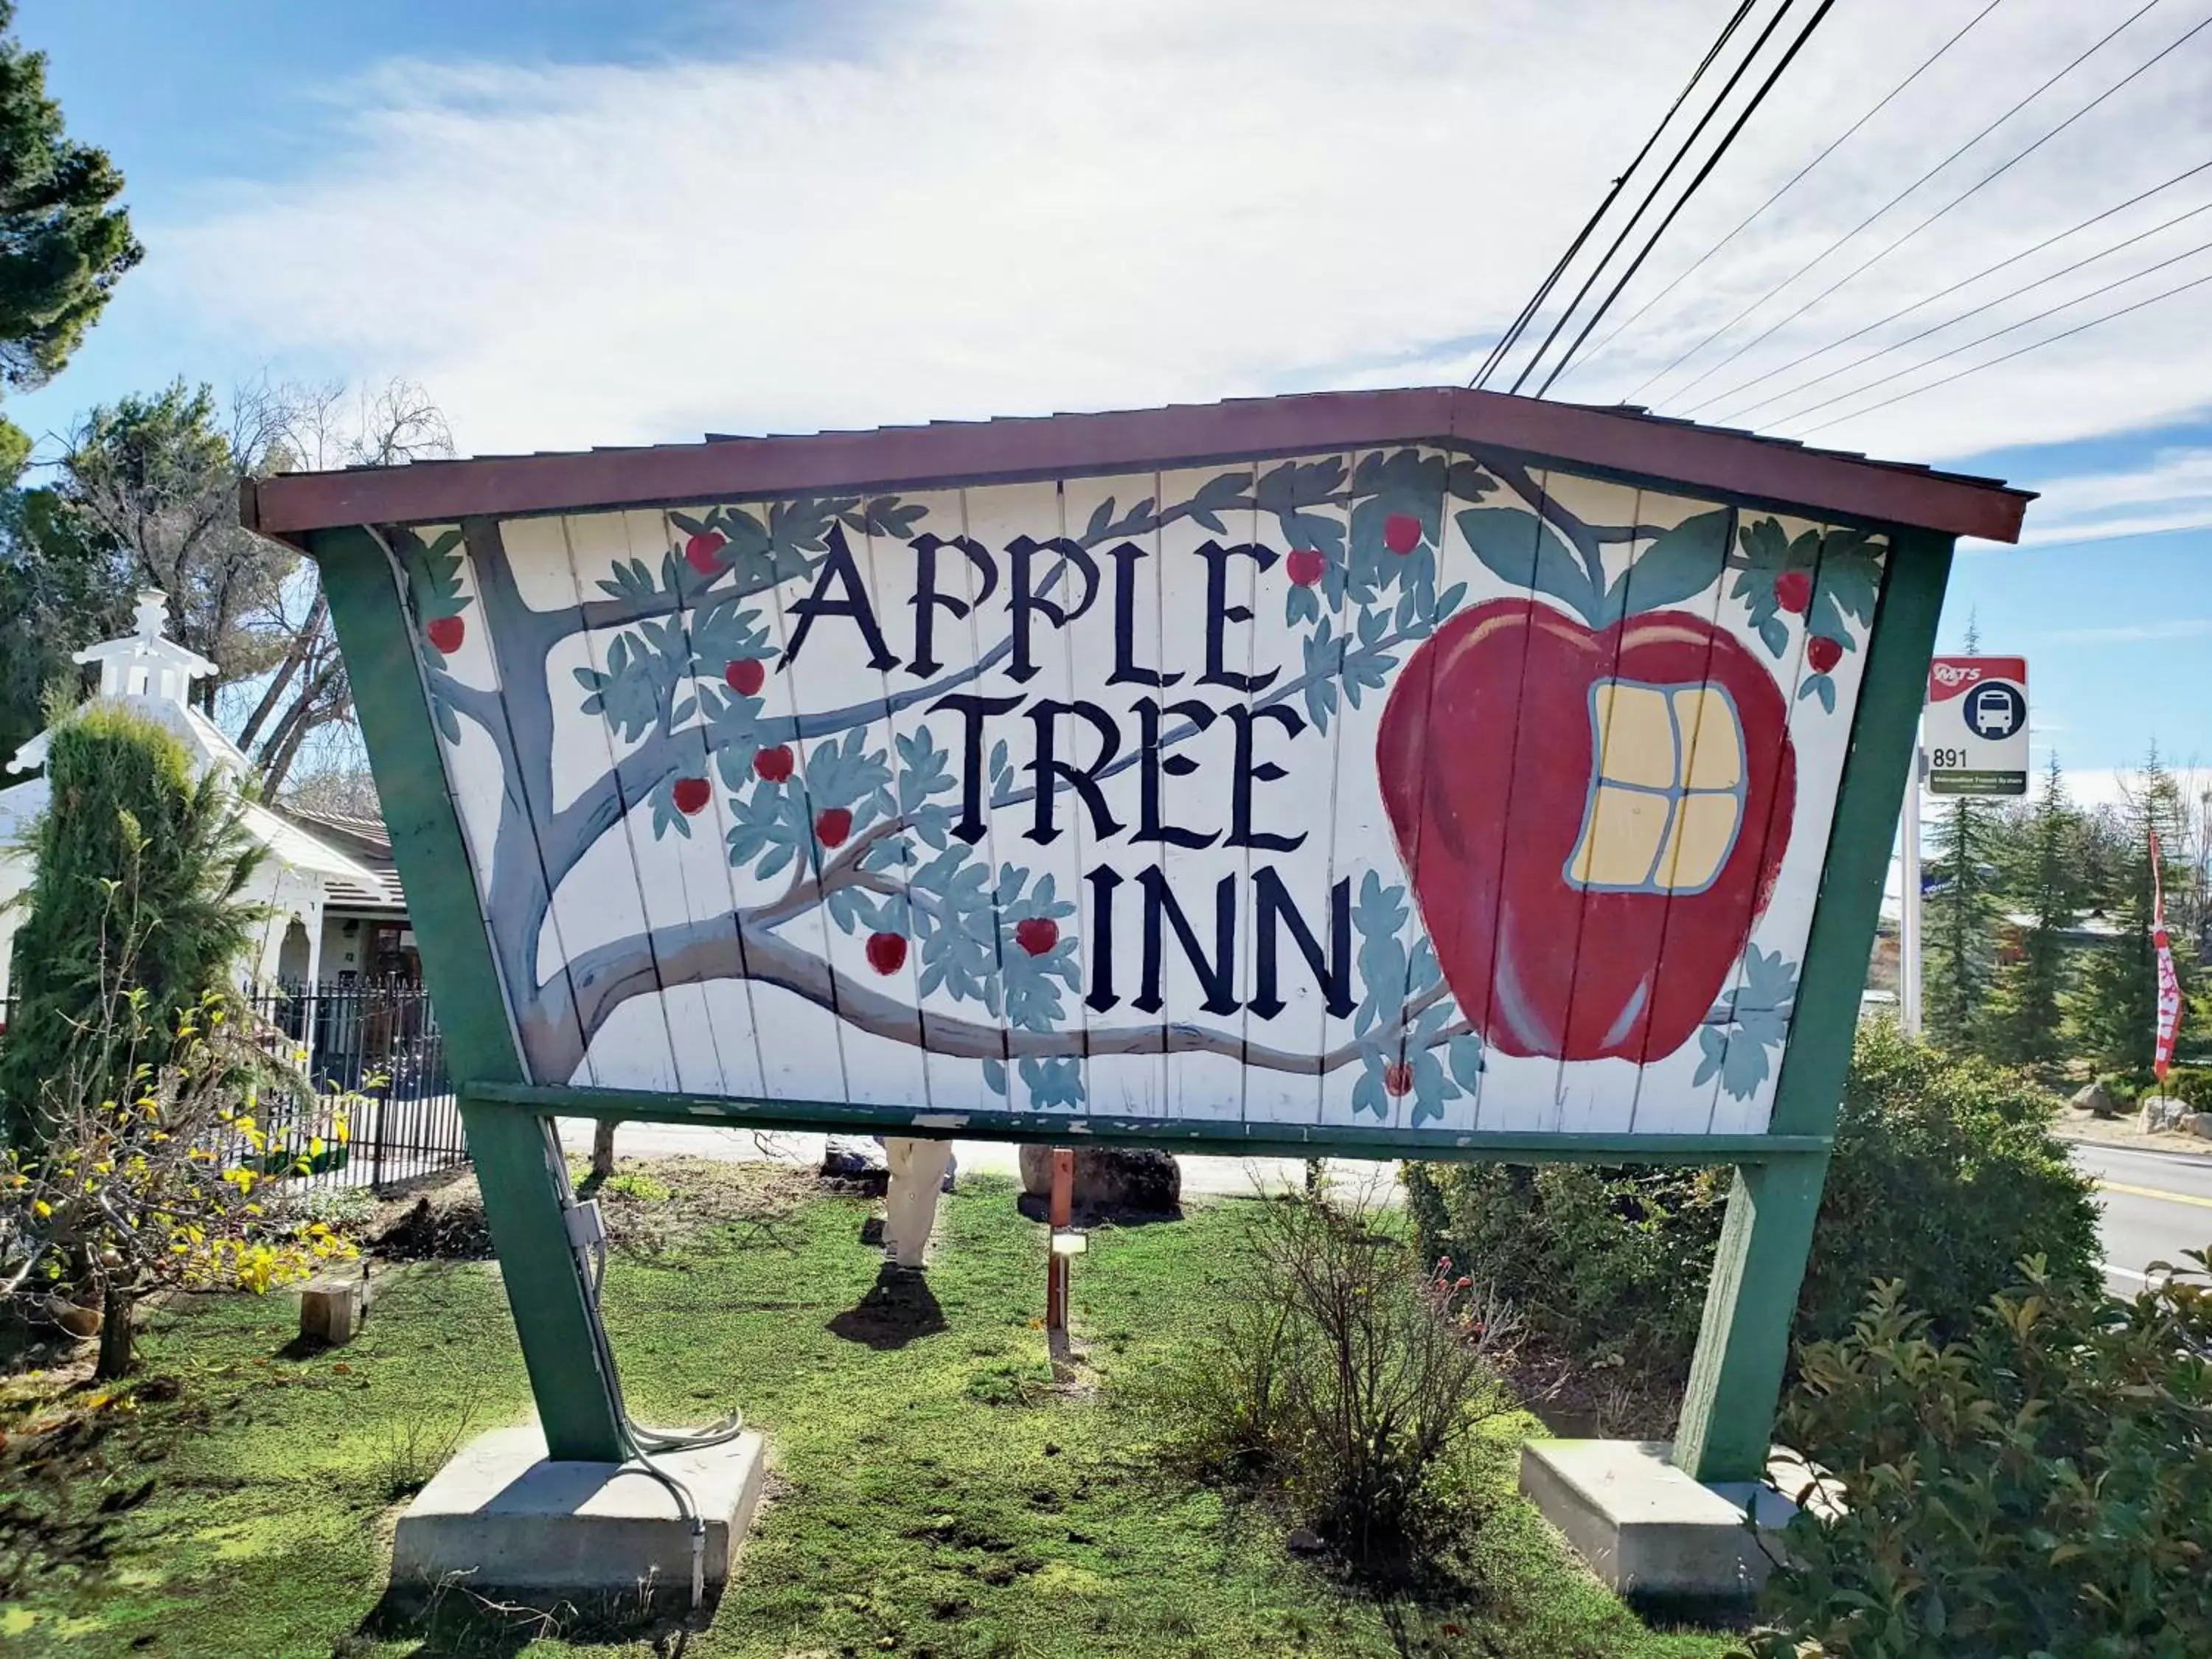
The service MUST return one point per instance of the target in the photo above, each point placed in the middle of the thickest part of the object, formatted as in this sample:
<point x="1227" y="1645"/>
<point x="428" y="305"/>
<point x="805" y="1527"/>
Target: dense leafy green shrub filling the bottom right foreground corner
<point x="2036" y="1490"/>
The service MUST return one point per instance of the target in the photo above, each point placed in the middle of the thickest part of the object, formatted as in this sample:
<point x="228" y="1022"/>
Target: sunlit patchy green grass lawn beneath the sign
<point x="932" y="1492"/>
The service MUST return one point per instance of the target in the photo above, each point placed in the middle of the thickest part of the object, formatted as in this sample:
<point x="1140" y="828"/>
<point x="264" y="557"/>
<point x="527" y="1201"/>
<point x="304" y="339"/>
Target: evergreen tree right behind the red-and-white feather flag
<point x="2118" y="997"/>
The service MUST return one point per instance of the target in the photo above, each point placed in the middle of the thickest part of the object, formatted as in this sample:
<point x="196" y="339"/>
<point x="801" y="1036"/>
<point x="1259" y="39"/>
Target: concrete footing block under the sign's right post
<point x="1645" y="1527"/>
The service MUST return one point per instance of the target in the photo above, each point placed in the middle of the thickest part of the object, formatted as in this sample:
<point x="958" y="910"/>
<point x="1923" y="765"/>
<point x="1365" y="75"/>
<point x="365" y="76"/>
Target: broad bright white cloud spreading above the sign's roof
<point x="983" y="207"/>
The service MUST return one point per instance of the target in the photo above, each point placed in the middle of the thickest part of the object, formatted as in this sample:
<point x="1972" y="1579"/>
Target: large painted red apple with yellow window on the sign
<point x="1587" y="901"/>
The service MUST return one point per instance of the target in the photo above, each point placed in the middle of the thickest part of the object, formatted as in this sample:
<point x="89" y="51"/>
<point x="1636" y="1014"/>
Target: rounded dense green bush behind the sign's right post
<point x="1945" y="1176"/>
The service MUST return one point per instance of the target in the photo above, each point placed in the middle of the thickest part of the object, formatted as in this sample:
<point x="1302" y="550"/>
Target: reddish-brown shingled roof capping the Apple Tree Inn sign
<point x="1618" y="439"/>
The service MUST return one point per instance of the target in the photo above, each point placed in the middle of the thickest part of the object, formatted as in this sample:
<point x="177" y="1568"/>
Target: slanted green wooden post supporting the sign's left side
<point x="517" y="1158"/>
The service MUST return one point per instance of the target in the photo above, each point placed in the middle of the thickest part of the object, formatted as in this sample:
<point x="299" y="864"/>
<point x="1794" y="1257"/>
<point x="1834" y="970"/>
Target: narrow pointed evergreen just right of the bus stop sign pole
<point x="2043" y="877"/>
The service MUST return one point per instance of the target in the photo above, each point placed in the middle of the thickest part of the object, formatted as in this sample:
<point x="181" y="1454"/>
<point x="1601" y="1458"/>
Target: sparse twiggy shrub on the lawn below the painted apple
<point x="1348" y="1379"/>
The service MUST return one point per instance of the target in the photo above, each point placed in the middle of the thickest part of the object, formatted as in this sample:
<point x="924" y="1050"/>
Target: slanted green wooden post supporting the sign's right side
<point x="1744" y="1342"/>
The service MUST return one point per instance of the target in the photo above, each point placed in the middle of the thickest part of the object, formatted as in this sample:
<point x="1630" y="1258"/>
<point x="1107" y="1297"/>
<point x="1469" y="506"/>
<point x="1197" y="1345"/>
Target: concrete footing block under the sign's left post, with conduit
<point x="501" y="1516"/>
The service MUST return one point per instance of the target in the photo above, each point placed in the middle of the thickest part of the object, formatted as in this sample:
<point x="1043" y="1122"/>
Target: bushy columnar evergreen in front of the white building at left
<point x="138" y="890"/>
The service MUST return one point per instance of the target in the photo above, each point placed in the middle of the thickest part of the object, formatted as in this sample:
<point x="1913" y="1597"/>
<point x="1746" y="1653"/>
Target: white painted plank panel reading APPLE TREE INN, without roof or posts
<point x="1395" y="789"/>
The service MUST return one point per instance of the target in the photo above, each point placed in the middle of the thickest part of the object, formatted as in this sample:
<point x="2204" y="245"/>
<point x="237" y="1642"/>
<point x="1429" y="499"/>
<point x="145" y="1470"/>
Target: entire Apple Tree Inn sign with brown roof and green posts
<point x="1404" y="773"/>
